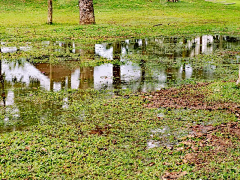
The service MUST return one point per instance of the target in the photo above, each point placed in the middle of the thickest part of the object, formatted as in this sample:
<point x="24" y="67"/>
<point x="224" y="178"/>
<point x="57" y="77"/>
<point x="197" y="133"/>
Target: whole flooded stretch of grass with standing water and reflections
<point x="134" y="65"/>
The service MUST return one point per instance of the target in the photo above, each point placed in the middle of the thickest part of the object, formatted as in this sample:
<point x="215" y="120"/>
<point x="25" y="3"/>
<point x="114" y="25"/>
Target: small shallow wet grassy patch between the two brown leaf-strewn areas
<point x="169" y="135"/>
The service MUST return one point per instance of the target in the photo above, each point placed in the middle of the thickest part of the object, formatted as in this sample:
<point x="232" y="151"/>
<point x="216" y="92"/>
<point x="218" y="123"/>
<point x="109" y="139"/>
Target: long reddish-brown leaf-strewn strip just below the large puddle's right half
<point x="188" y="96"/>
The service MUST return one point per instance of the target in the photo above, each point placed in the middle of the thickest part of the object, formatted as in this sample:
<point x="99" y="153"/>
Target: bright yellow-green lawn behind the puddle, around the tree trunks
<point x="114" y="19"/>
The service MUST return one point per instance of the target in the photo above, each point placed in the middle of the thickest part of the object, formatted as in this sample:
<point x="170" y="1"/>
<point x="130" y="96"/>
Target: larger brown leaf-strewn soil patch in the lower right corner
<point x="220" y="144"/>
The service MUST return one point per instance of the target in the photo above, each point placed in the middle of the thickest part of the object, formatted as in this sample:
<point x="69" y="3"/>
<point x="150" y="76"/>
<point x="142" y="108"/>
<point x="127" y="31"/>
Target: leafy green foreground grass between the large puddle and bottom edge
<point x="104" y="136"/>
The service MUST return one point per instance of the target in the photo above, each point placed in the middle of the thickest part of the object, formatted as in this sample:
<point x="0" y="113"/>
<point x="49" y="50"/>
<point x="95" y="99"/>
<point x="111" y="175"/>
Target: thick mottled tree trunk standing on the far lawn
<point x="86" y="12"/>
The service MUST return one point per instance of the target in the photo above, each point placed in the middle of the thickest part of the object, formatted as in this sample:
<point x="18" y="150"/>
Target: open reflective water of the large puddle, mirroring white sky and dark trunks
<point x="125" y="73"/>
